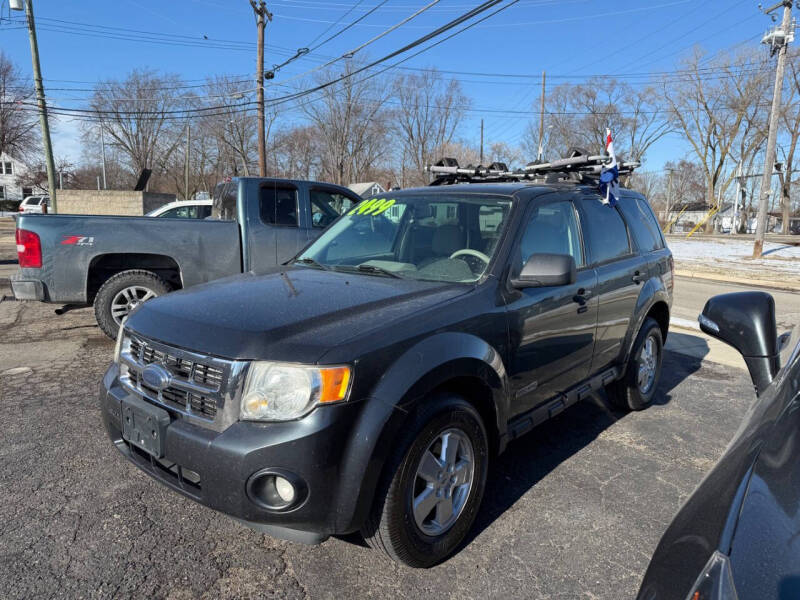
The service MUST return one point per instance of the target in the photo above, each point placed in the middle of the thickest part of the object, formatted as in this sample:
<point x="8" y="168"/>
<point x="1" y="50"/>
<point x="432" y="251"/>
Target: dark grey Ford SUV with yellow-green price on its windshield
<point x="365" y="386"/>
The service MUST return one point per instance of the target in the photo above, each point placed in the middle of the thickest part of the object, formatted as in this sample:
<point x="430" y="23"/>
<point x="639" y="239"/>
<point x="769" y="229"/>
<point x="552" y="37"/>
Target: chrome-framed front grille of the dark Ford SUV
<point x="198" y="384"/>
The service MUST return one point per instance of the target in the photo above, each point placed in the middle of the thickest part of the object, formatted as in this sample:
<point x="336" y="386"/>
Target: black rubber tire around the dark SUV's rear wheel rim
<point x="627" y="393"/>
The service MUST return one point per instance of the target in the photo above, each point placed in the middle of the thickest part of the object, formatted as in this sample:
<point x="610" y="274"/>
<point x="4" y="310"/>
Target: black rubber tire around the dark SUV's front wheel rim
<point x="391" y="526"/>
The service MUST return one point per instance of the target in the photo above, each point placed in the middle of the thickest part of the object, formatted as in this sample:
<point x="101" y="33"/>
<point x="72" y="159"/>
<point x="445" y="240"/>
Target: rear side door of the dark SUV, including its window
<point x="620" y="273"/>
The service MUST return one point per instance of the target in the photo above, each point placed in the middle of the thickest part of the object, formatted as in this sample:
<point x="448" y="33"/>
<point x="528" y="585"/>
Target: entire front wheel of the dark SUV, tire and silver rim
<point x="432" y="488"/>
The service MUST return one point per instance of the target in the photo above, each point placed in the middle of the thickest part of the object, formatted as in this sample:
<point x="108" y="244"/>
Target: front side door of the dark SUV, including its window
<point x="552" y="329"/>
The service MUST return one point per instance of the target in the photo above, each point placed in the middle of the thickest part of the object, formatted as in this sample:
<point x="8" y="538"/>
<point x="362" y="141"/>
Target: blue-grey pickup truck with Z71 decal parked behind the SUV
<point x="115" y="263"/>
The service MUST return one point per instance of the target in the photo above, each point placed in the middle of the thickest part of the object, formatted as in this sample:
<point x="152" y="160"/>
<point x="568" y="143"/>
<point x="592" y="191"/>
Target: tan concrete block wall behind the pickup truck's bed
<point x="110" y="202"/>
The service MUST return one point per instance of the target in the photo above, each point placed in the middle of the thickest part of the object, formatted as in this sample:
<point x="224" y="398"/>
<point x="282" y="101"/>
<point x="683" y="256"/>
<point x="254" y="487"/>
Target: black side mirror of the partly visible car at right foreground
<point x="746" y="321"/>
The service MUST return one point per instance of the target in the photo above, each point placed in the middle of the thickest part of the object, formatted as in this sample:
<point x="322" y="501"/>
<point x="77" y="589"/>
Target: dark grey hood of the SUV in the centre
<point x="293" y="315"/>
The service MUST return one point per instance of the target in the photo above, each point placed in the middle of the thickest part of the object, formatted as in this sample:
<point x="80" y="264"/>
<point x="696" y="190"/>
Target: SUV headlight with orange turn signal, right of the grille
<point x="281" y="392"/>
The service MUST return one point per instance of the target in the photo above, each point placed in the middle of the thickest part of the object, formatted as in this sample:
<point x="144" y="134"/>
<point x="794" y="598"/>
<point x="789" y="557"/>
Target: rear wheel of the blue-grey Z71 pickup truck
<point x="123" y="292"/>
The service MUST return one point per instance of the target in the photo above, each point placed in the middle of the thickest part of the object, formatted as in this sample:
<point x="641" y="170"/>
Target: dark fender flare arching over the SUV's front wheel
<point x="423" y="367"/>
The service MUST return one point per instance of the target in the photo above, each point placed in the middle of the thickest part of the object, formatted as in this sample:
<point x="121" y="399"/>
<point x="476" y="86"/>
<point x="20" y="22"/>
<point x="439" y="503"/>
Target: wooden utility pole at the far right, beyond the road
<point x="779" y="39"/>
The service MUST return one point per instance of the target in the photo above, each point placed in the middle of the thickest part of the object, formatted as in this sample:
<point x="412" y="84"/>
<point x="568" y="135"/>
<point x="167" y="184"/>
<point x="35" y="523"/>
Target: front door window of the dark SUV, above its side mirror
<point x="551" y="229"/>
